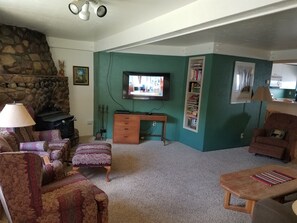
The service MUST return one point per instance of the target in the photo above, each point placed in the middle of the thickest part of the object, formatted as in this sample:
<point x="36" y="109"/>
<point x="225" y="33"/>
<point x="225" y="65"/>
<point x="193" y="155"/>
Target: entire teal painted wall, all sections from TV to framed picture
<point x="220" y="123"/>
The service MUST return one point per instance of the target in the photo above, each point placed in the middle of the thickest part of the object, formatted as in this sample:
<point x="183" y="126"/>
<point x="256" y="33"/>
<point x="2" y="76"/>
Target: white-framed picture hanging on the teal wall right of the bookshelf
<point x="243" y="80"/>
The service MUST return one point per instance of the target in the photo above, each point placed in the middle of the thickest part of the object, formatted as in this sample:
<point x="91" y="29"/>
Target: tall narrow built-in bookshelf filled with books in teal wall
<point x="193" y="93"/>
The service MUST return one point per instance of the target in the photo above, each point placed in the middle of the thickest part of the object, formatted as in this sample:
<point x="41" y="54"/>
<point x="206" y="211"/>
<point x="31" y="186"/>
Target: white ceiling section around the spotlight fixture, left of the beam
<point x="53" y="18"/>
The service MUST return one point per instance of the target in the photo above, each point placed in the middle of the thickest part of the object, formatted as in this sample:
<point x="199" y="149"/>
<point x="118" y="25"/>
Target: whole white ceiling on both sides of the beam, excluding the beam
<point x="277" y="31"/>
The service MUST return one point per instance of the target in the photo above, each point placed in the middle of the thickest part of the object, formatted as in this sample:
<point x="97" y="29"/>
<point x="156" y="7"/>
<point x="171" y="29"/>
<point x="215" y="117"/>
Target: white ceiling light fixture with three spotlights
<point x="81" y="8"/>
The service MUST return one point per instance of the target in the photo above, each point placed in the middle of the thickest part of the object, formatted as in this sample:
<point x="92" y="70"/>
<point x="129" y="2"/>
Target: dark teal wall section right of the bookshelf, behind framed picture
<point x="224" y="121"/>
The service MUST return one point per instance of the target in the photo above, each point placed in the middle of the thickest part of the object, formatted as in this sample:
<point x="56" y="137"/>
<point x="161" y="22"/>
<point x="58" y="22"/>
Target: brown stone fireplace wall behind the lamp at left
<point x="28" y="73"/>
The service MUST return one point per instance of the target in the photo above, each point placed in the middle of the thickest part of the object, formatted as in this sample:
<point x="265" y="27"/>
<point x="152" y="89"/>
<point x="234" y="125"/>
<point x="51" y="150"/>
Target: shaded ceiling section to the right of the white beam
<point x="276" y="31"/>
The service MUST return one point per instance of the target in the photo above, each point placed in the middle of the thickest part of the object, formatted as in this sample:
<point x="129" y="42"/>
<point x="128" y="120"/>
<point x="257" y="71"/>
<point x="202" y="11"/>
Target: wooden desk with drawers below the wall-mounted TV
<point x="126" y="127"/>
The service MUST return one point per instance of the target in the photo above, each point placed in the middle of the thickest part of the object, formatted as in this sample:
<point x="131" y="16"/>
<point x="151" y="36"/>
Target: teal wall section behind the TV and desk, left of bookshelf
<point x="108" y="70"/>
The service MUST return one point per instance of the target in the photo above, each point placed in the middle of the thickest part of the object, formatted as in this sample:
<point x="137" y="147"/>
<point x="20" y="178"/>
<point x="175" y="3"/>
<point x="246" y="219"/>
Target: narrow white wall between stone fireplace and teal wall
<point x="81" y="97"/>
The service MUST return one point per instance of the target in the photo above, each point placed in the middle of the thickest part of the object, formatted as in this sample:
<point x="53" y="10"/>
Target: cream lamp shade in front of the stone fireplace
<point x="15" y="115"/>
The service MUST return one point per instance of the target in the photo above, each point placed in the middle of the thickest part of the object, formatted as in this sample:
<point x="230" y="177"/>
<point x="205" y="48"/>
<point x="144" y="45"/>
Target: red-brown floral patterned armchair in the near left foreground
<point x="72" y="199"/>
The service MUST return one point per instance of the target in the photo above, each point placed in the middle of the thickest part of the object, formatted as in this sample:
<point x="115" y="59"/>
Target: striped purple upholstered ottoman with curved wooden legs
<point x="93" y="155"/>
